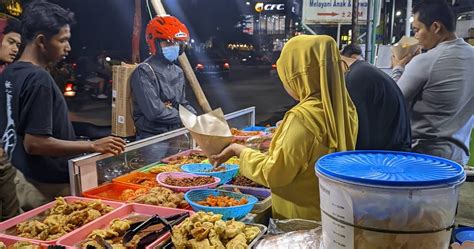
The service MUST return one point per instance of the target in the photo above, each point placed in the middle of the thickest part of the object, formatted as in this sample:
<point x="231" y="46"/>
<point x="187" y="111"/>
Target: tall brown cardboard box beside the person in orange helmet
<point x="122" y="111"/>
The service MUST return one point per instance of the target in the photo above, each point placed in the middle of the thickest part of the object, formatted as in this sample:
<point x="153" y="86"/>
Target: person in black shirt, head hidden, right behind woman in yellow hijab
<point x="383" y="119"/>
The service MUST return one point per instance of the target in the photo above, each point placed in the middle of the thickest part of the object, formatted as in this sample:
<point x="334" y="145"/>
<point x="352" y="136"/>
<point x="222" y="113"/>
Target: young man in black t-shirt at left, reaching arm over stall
<point x="44" y="137"/>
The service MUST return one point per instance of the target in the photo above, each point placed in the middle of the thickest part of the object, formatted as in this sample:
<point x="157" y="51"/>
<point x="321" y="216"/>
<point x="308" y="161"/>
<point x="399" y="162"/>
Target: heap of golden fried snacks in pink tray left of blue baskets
<point x="160" y="196"/>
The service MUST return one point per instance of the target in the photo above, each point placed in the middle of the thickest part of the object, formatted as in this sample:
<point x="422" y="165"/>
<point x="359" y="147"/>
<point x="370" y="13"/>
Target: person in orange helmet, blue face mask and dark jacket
<point x="157" y="84"/>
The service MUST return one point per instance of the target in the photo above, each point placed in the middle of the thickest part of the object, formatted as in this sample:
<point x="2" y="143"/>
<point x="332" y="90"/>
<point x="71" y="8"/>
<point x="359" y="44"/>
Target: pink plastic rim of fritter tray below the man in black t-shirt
<point x="11" y="223"/>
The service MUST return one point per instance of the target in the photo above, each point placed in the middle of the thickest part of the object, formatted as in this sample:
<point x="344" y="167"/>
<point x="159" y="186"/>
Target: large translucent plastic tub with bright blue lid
<point x="382" y="199"/>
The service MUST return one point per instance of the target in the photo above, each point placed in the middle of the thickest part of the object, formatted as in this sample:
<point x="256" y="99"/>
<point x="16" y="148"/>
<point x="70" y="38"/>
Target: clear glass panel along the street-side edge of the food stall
<point x="92" y="170"/>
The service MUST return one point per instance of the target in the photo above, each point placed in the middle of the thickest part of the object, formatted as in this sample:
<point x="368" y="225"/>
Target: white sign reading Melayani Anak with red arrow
<point x="332" y="11"/>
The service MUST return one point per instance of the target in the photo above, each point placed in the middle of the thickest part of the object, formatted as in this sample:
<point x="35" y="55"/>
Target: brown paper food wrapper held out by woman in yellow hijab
<point x="210" y="130"/>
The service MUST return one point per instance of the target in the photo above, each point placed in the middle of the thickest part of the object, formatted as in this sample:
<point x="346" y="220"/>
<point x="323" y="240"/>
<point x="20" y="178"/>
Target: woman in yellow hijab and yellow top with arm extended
<point x="324" y="121"/>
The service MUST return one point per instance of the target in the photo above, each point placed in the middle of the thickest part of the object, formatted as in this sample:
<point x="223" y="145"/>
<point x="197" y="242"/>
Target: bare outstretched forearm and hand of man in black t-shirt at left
<point x="49" y="146"/>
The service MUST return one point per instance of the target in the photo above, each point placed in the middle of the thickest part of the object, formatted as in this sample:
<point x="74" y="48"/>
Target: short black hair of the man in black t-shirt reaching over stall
<point x="44" y="17"/>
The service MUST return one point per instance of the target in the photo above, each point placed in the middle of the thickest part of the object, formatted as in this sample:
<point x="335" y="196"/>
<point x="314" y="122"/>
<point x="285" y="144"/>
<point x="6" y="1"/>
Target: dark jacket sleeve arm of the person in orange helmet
<point x="147" y="95"/>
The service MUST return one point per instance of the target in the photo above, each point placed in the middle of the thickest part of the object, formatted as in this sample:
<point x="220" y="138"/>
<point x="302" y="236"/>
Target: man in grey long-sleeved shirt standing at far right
<point x="438" y="85"/>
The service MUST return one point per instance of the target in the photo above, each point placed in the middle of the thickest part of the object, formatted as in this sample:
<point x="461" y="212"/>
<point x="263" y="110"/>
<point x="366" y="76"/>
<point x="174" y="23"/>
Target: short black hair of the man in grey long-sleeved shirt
<point x="430" y="11"/>
